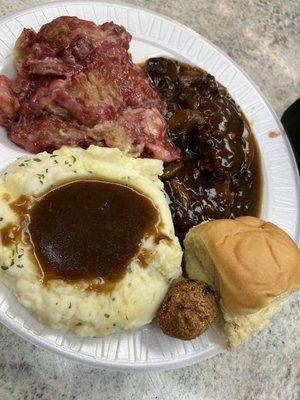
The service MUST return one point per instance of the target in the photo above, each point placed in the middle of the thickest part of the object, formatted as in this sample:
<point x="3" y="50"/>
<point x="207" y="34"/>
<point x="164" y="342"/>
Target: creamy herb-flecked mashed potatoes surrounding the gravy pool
<point x="135" y="298"/>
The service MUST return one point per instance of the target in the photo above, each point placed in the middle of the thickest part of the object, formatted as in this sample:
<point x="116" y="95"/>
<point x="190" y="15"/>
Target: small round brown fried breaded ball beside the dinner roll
<point x="187" y="310"/>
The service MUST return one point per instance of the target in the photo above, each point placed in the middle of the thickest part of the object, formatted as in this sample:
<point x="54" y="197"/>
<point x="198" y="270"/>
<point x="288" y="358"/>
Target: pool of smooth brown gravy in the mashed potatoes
<point x="89" y="229"/>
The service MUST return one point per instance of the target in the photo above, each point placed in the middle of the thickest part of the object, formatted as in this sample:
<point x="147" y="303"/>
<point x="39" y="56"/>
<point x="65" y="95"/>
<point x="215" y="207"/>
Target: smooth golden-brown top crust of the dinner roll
<point x="255" y="261"/>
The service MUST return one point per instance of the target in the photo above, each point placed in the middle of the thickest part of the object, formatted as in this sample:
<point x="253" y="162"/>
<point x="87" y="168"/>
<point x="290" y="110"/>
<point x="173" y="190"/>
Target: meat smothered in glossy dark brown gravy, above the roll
<point x="218" y="175"/>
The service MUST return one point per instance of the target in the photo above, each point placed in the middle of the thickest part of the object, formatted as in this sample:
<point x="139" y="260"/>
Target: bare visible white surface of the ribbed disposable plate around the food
<point x="154" y="34"/>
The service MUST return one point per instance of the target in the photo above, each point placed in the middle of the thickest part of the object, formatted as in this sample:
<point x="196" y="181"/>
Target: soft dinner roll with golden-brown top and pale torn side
<point x="251" y="264"/>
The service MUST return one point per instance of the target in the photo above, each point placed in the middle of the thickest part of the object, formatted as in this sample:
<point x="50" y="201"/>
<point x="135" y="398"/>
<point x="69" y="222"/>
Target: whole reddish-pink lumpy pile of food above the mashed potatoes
<point x="77" y="85"/>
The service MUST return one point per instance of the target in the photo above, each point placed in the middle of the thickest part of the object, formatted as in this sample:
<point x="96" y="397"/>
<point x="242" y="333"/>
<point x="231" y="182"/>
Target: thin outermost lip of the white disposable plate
<point x="176" y="362"/>
